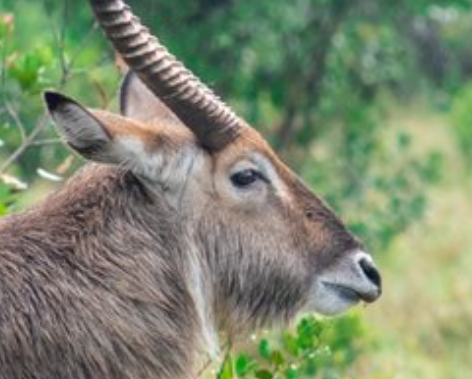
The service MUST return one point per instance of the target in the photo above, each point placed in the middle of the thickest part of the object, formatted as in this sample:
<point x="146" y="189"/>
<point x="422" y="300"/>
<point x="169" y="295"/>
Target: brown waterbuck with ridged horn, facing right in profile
<point x="186" y="224"/>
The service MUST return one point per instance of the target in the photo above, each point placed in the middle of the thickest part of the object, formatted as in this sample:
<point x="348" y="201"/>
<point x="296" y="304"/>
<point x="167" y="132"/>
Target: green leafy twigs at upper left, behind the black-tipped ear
<point x="56" y="59"/>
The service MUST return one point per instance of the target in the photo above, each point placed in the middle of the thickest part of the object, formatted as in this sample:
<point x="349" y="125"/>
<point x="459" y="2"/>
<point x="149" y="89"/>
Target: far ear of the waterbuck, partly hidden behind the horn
<point x="139" y="103"/>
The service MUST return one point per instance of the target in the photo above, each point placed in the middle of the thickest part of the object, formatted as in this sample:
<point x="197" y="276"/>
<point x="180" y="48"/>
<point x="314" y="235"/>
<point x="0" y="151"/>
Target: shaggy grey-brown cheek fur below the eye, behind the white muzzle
<point x="258" y="278"/>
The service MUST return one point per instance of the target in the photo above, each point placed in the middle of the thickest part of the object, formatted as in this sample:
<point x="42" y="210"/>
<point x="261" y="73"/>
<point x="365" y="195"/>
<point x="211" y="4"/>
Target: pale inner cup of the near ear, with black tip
<point x="82" y="131"/>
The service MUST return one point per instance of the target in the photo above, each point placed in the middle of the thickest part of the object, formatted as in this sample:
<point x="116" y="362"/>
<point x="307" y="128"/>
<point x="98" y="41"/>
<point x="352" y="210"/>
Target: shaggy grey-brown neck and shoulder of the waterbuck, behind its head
<point x="88" y="282"/>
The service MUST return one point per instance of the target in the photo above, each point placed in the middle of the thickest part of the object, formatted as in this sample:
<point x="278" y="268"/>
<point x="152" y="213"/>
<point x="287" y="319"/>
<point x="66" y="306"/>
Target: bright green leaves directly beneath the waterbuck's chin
<point x="318" y="348"/>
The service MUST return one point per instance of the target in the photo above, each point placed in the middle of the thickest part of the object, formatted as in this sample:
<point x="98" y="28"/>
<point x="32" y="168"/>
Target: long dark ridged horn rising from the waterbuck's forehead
<point x="212" y="121"/>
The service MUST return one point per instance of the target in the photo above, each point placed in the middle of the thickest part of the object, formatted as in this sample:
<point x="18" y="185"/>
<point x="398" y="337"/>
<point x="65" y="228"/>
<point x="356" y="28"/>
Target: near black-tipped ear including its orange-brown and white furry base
<point x="151" y="150"/>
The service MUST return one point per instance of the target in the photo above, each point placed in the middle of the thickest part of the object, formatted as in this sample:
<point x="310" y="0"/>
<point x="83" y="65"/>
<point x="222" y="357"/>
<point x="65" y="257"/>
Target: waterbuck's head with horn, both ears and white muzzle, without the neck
<point x="268" y="245"/>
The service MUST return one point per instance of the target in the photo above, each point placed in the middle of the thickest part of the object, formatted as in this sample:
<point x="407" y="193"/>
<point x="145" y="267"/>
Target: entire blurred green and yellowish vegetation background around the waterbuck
<point x="369" y="100"/>
